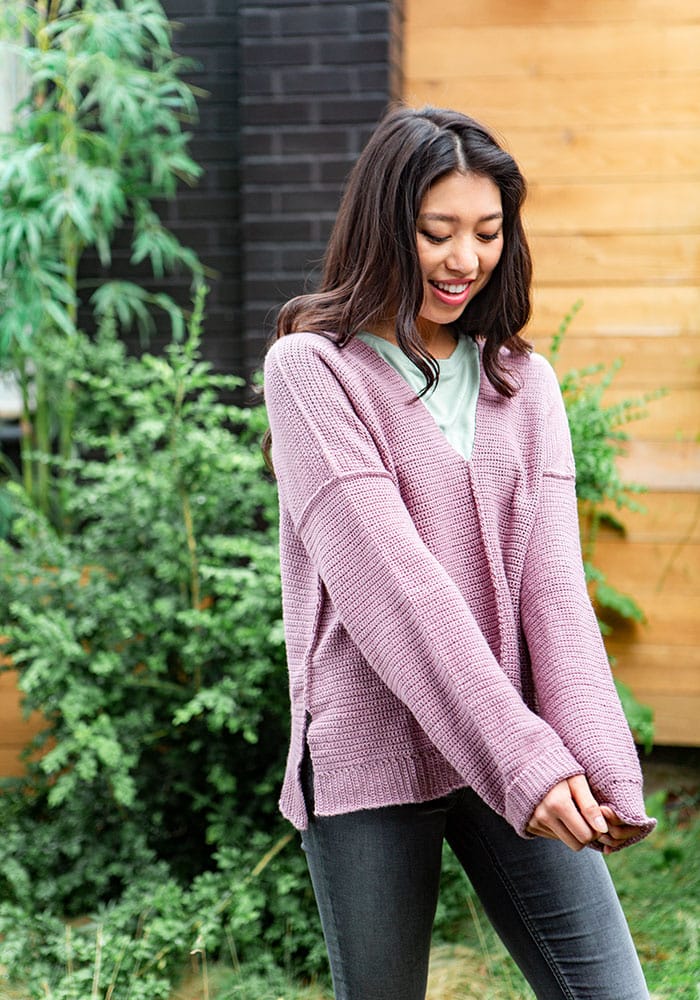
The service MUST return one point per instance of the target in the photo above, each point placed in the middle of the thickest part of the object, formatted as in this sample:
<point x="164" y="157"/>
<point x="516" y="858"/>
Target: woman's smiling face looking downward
<point x="459" y="233"/>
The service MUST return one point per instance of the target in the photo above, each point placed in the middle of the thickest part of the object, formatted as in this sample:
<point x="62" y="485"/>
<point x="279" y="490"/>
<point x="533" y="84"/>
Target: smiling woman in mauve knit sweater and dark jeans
<point x="447" y="674"/>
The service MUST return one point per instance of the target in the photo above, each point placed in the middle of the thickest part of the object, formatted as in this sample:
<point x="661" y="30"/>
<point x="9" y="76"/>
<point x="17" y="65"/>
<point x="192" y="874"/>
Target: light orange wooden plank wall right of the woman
<point x="600" y="104"/>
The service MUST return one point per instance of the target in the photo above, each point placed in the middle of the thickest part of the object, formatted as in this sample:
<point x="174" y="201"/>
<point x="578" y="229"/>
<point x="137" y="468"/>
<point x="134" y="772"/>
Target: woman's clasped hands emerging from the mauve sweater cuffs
<point x="570" y="813"/>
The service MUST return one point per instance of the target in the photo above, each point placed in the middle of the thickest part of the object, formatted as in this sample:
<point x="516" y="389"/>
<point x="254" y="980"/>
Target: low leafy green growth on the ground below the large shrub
<point x="138" y="944"/>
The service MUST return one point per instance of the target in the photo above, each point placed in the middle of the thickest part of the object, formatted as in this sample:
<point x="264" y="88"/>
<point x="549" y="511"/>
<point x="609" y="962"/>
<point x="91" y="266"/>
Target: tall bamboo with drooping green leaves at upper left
<point x="96" y="143"/>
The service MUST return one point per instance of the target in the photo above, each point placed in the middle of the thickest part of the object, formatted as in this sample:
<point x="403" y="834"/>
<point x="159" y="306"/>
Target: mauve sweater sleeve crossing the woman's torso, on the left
<point x="397" y="603"/>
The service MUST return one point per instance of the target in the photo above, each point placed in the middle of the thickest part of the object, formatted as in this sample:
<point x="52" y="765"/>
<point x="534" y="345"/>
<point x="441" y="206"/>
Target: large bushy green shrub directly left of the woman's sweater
<point x="150" y="636"/>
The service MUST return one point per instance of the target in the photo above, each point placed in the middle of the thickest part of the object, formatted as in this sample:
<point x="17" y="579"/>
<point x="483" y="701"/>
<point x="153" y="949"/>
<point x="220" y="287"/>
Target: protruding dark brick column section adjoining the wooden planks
<point x="315" y="77"/>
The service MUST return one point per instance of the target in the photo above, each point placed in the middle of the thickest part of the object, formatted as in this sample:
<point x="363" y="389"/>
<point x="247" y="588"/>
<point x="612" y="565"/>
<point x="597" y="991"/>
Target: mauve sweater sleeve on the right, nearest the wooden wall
<point x="573" y="682"/>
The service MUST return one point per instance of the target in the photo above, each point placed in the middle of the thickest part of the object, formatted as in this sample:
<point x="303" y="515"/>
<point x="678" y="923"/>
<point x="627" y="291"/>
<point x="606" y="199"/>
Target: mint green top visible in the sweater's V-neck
<point x="452" y="402"/>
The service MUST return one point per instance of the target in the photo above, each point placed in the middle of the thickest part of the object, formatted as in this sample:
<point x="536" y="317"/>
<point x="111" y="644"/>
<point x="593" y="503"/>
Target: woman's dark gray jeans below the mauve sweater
<point x="376" y="876"/>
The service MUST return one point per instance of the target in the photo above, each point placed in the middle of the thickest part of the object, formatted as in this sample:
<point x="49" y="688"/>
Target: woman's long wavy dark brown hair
<point x="371" y="267"/>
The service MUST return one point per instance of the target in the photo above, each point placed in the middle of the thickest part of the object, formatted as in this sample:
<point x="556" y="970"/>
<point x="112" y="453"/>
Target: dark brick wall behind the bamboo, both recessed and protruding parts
<point x="294" y="90"/>
